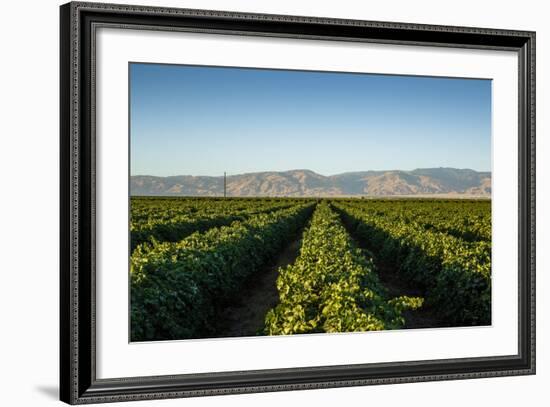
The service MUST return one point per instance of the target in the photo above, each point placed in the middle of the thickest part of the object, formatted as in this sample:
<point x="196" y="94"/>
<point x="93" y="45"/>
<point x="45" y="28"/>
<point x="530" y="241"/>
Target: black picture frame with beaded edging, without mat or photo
<point x="78" y="382"/>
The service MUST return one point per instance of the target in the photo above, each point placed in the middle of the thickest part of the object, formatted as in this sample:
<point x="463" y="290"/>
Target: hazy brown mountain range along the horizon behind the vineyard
<point x="306" y="183"/>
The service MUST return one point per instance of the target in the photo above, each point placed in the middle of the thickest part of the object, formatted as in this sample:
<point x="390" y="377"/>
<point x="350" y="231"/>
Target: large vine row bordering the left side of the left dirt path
<point x="177" y="288"/>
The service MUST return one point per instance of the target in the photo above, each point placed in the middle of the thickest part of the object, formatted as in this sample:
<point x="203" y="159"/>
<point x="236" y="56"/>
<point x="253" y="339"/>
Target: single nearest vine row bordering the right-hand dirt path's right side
<point x="455" y="274"/>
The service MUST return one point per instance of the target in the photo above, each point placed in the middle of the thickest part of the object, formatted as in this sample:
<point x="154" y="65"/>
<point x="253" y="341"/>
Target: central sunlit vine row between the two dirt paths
<point x="332" y="286"/>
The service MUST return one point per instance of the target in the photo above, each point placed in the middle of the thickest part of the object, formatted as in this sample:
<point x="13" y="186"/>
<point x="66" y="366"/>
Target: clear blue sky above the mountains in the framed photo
<point x="190" y="120"/>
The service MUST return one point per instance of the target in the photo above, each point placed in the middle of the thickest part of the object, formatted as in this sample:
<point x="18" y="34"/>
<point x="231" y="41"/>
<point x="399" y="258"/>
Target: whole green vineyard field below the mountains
<point x="192" y="259"/>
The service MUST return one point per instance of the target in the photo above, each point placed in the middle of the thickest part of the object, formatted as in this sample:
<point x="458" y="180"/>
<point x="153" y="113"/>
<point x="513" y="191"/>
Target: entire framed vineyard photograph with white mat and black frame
<point x="255" y="203"/>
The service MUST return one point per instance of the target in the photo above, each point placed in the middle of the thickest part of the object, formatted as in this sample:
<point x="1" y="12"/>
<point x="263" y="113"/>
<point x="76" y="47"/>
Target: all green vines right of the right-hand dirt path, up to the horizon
<point x="415" y="236"/>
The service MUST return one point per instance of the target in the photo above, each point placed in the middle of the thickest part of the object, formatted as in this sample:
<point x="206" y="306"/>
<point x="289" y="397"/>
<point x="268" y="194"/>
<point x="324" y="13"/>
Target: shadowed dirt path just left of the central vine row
<point x="246" y="317"/>
